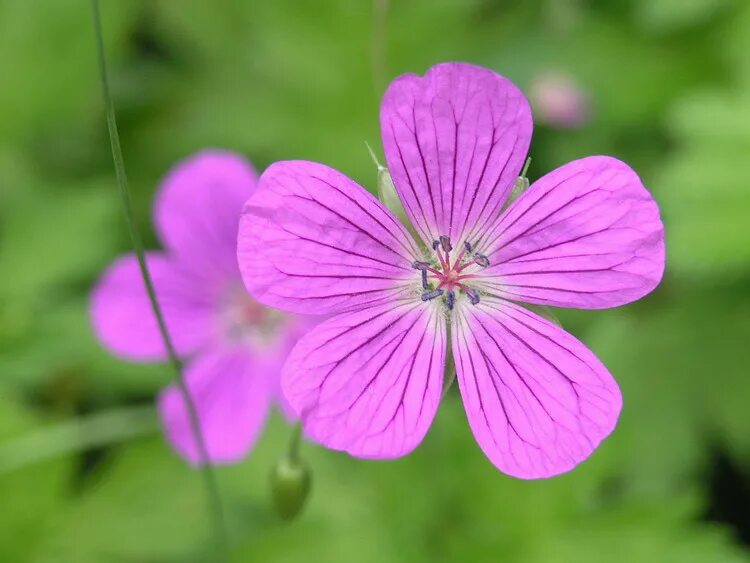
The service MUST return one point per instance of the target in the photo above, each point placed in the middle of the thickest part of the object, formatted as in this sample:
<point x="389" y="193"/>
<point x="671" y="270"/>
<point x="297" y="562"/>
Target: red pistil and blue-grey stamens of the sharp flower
<point x="446" y="275"/>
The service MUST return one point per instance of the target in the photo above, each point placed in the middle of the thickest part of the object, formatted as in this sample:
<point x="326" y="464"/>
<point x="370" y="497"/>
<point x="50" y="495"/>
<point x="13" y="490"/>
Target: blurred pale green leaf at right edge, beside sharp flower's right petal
<point x="703" y="188"/>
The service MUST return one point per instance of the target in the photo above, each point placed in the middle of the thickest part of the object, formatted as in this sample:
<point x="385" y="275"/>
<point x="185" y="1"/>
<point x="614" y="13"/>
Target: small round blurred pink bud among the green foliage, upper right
<point x="559" y="101"/>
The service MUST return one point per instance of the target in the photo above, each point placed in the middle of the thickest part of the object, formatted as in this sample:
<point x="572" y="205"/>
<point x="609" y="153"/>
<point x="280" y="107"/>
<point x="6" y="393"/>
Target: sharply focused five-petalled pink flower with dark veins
<point x="368" y="380"/>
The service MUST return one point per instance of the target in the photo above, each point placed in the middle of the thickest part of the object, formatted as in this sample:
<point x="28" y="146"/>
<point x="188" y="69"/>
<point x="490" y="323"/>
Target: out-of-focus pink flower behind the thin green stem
<point x="235" y="346"/>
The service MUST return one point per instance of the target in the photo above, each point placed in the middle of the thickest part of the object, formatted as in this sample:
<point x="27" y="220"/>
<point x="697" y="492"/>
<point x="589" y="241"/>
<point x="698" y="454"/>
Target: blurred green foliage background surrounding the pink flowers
<point x="85" y="475"/>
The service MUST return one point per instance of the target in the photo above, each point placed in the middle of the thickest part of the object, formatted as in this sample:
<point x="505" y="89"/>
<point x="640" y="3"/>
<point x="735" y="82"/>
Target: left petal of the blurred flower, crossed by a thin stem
<point x="124" y="321"/>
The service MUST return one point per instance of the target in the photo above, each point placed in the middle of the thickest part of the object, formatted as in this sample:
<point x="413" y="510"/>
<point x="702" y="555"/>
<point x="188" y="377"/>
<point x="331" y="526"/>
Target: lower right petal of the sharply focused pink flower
<point x="538" y="401"/>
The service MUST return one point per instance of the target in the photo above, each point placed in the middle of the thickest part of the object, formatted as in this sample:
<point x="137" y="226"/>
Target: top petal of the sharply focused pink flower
<point x="455" y="142"/>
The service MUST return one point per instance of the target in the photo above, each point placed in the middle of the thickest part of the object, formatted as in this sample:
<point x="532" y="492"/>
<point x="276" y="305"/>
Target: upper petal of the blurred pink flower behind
<point x="198" y="209"/>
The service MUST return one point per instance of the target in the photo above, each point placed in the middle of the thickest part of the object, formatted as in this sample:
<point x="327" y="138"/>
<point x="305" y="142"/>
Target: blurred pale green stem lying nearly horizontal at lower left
<point x="77" y="434"/>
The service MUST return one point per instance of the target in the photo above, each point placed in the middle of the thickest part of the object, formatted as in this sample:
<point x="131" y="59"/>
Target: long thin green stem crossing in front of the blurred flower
<point x="212" y="489"/>
